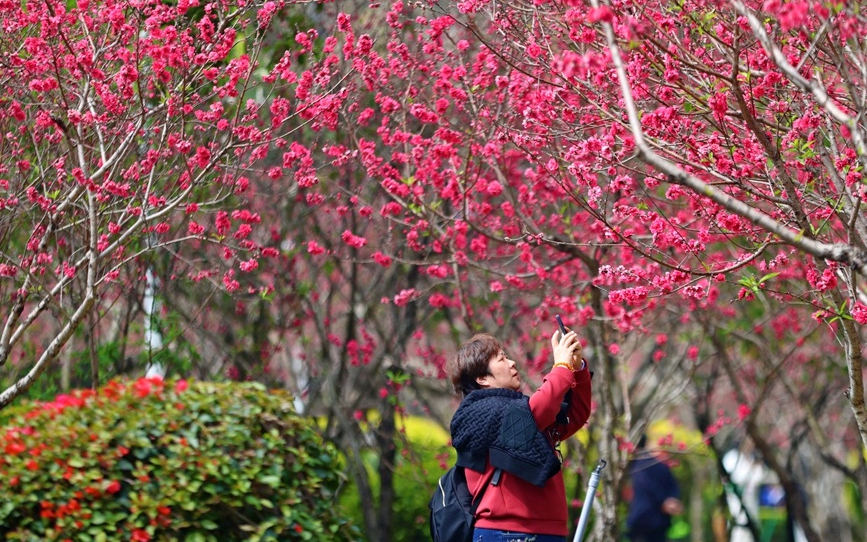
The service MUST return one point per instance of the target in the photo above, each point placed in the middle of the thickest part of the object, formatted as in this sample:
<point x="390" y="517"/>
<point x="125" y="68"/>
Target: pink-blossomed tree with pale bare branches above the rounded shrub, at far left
<point x="129" y="128"/>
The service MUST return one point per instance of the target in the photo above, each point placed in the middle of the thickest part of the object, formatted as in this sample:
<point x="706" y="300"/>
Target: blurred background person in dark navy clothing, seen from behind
<point x="655" y="496"/>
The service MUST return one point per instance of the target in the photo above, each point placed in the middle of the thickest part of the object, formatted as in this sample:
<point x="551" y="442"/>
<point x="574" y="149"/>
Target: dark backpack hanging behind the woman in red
<point x="452" y="510"/>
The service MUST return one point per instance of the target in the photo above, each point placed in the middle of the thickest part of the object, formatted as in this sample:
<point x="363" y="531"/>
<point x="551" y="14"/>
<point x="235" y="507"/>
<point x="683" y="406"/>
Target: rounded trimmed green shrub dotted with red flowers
<point x="153" y="460"/>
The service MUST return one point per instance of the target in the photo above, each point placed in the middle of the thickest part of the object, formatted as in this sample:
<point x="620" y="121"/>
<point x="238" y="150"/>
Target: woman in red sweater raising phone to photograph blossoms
<point x="507" y="441"/>
